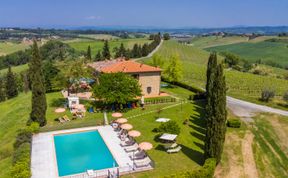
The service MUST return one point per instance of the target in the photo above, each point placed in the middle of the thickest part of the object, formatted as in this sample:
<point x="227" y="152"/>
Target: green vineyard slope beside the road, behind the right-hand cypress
<point x="241" y="85"/>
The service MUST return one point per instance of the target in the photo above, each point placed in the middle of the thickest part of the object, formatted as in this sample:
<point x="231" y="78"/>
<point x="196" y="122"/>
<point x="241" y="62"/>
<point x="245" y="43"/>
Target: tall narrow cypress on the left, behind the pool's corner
<point x="39" y="104"/>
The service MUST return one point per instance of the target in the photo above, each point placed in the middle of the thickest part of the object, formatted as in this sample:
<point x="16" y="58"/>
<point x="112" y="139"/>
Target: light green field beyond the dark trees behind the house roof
<point x="98" y="45"/>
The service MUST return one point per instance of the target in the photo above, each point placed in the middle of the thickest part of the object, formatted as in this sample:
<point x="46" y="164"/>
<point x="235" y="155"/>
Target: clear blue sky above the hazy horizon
<point x="158" y="13"/>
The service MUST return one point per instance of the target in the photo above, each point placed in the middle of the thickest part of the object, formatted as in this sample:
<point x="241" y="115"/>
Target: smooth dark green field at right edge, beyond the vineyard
<point x="264" y="50"/>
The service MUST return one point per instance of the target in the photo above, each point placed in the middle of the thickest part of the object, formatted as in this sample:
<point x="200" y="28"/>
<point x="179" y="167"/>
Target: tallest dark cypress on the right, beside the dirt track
<point x="216" y="113"/>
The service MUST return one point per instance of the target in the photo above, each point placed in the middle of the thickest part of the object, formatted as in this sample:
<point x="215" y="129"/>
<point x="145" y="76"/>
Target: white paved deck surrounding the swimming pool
<point x="43" y="156"/>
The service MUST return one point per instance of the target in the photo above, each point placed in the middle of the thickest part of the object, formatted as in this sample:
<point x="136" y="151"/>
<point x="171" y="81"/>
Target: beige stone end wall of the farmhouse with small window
<point x="150" y="83"/>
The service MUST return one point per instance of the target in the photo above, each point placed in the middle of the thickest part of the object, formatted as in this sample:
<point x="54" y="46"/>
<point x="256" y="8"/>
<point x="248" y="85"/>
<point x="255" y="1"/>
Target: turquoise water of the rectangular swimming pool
<point x="78" y="152"/>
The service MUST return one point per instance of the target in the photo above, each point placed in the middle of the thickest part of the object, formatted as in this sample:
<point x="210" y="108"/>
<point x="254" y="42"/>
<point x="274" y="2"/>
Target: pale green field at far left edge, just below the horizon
<point x="10" y="47"/>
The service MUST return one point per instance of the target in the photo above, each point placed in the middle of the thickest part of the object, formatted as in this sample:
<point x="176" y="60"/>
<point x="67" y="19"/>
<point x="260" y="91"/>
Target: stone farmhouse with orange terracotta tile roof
<point x="149" y="77"/>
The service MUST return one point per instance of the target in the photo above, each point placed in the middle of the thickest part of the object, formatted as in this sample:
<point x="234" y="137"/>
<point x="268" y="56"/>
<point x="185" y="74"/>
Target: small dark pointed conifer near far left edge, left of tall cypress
<point x="11" y="84"/>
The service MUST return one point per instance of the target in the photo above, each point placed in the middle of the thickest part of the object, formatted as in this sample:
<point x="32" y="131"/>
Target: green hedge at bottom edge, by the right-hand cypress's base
<point x="207" y="171"/>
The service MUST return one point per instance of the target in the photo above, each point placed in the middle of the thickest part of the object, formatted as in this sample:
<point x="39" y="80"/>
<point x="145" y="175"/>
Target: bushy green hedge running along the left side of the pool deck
<point x="22" y="152"/>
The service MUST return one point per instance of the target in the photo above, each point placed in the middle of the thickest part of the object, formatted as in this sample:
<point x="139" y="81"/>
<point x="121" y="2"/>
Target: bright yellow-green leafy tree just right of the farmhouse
<point x="174" y="70"/>
